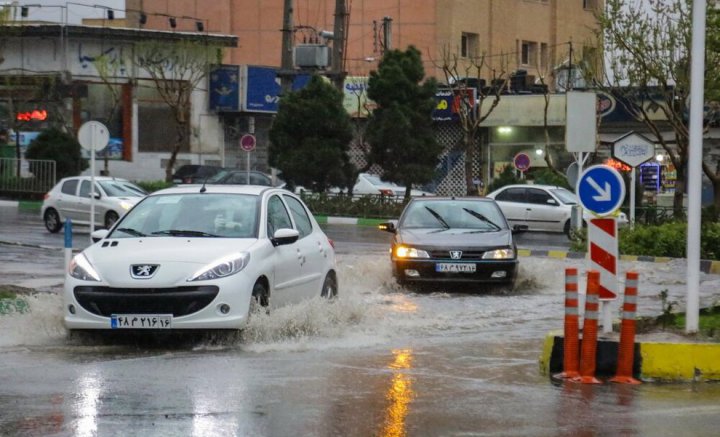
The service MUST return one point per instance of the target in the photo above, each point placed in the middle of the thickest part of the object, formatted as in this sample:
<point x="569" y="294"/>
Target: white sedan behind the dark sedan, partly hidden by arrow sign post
<point x="541" y="207"/>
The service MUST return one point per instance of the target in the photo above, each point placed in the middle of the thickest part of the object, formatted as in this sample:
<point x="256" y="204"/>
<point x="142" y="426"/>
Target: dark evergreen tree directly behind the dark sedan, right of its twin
<point x="400" y="130"/>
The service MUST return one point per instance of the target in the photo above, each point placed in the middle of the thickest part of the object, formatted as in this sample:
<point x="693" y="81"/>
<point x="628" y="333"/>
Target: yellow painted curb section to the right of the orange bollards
<point x="680" y="361"/>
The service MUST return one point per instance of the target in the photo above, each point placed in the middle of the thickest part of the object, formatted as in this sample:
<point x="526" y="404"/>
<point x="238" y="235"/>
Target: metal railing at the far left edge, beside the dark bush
<point x="30" y="176"/>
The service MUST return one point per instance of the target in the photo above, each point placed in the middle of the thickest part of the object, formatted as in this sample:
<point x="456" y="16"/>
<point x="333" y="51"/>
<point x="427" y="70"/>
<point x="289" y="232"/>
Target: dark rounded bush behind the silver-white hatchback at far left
<point x="56" y="145"/>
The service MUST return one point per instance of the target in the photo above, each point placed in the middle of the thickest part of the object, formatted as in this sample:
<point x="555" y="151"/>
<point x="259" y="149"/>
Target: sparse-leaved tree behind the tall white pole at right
<point x="649" y="51"/>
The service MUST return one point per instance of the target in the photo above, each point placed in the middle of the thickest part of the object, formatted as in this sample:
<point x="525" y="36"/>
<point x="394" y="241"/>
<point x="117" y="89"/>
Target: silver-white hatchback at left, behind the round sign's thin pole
<point x="70" y="199"/>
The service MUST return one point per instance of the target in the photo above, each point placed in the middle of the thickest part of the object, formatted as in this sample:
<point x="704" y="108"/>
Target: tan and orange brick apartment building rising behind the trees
<point x="509" y="35"/>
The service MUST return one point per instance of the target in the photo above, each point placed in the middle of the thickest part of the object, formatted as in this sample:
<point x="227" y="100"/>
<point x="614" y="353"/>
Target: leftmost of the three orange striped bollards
<point x="571" y="338"/>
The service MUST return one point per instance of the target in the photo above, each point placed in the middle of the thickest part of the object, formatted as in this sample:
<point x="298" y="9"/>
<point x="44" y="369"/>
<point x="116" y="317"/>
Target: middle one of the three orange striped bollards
<point x="589" y="345"/>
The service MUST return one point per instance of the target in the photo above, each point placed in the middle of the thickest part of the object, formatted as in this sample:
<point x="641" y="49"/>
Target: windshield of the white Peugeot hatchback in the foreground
<point x="192" y="215"/>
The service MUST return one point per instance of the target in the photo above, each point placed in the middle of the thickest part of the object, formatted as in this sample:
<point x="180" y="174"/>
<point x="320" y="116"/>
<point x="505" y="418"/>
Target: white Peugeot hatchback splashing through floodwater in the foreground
<point x="193" y="257"/>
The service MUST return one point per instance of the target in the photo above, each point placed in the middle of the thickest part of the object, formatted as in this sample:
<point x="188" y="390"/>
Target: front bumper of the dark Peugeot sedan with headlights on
<point x="486" y="271"/>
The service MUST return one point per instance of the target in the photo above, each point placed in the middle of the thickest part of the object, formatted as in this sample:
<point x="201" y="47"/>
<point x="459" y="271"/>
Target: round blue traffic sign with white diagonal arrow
<point x="601" y="189"/>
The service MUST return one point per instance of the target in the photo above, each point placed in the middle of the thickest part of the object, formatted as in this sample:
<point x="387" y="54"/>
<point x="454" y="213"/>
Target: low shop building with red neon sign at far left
<point x="64" y="75"/>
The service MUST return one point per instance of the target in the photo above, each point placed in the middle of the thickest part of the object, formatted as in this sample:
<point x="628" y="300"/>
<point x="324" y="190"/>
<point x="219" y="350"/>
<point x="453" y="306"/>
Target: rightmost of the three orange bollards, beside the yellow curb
<point x="626" y="350"/>
